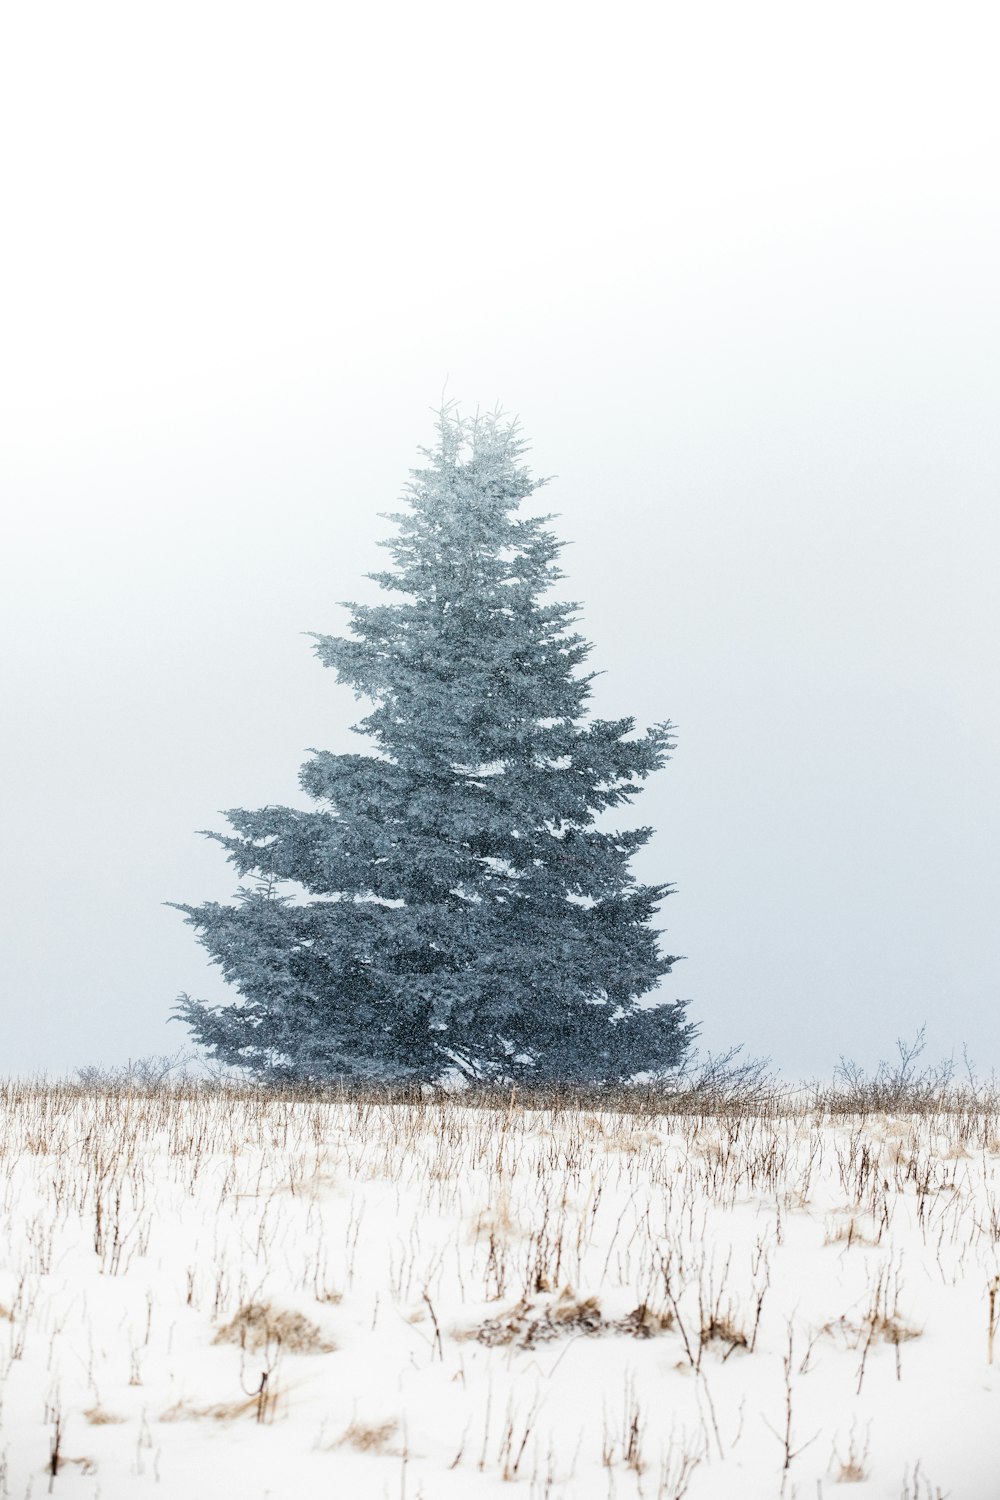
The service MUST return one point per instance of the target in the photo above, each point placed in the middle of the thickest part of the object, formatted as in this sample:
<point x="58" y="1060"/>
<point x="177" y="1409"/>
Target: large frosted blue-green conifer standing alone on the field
<point x="455" y="902"/>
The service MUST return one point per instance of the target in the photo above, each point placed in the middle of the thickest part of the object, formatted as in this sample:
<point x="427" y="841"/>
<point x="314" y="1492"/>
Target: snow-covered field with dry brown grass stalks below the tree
<point x="224" y="1295"/>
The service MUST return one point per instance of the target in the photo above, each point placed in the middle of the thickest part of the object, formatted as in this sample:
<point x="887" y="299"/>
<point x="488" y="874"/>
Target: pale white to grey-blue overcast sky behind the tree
<point x="735" y="268"/>
